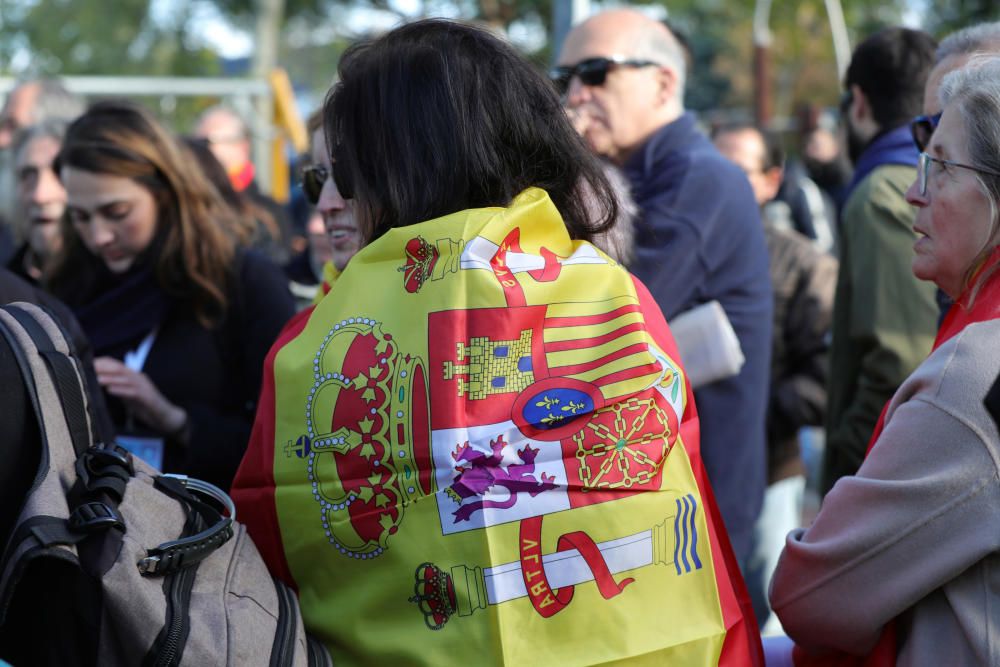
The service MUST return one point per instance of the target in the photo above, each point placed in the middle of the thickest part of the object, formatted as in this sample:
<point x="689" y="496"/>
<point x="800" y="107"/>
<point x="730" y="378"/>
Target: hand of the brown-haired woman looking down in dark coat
<point x="140" y="395"/>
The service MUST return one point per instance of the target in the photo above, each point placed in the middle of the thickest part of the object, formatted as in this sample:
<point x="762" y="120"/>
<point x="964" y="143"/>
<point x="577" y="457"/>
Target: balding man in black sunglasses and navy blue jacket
<point x="699" y="236"/>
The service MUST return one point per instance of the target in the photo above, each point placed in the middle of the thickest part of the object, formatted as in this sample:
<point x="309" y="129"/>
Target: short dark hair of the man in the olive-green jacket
<point x="891" y="68"/>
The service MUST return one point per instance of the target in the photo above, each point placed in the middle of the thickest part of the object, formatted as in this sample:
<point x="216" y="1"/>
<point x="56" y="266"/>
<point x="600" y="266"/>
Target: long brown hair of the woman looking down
<point x="193" y="252"/>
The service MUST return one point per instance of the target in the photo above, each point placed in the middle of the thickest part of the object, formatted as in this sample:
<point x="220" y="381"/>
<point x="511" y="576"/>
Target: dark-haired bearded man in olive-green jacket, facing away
<point x="884" y="319"/>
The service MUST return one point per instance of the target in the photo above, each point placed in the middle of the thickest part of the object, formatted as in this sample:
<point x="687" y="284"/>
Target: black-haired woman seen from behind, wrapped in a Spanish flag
<point x="480" y="446"/>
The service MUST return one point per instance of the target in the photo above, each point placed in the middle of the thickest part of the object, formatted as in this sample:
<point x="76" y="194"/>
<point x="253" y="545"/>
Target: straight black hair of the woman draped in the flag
<point x="437" y="117"/>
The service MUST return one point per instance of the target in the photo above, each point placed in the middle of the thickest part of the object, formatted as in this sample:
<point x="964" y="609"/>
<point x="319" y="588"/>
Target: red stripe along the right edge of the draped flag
<point x="742" y="645"/>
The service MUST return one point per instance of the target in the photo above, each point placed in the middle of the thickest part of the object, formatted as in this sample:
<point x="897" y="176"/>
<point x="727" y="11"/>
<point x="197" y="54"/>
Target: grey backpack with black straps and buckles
<point x="129" y="566"/>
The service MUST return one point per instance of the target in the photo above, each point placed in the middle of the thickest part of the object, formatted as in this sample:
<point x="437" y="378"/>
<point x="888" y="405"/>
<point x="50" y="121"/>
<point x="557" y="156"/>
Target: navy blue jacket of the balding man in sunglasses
<point x="700" y="238"/>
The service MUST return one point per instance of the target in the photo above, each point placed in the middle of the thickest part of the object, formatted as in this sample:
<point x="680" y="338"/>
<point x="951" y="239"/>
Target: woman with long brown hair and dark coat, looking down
<point x="179" y="317"/>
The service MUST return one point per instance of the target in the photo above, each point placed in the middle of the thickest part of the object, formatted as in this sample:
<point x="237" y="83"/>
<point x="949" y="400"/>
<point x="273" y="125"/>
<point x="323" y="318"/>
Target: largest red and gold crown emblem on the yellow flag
<point x="367" y="447"/>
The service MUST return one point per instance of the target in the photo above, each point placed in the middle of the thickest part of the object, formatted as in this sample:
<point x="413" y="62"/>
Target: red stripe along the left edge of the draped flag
<point x="253" y="488"/>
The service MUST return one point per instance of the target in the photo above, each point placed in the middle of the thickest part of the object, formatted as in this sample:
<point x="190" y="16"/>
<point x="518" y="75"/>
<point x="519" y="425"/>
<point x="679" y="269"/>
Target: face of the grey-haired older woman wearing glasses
<point x="953" y="222"/>
